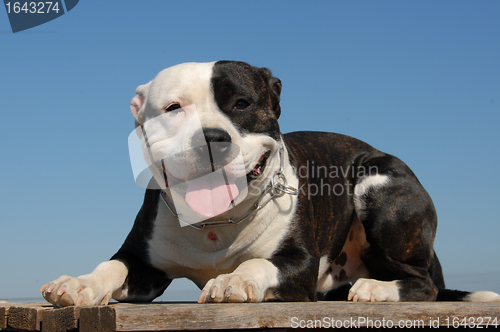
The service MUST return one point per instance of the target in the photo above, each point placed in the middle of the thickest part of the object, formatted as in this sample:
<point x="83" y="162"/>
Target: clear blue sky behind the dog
<point x="417" y="79"/>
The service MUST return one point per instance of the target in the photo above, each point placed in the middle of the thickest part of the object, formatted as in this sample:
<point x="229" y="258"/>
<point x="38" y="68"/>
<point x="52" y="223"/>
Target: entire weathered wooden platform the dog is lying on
<point x="192" y="316"/>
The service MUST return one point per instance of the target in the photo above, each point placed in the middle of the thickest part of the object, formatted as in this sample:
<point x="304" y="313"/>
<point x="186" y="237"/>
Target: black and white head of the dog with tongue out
<point x="210" y="131"/>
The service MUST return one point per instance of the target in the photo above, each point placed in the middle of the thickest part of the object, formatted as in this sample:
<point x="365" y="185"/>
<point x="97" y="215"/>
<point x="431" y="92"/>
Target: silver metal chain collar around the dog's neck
<point x="277" y="188"/>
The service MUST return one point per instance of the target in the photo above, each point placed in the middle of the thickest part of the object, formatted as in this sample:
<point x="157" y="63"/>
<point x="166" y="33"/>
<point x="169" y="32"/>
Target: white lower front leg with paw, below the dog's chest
<point x="250" y="282"/>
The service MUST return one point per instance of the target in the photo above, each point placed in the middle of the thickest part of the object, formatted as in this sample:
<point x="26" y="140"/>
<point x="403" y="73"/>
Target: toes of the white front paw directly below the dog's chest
<point x="231" y="287"/>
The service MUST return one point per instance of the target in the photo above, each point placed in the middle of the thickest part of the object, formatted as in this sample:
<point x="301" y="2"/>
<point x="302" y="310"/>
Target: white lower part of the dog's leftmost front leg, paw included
<point x="96" y="288"/>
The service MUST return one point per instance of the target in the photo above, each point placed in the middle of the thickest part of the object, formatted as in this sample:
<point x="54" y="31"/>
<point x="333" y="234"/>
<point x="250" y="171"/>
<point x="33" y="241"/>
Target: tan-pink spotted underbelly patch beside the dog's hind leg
<point x="347" y="266"/>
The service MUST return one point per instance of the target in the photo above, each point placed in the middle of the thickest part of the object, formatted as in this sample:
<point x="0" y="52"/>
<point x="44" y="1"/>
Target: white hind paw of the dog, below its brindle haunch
<point x="370" y="290"/>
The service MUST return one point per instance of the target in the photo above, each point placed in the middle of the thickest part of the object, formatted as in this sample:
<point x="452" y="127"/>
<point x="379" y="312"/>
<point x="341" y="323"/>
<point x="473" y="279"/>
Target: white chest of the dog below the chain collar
<point x="200" y="255"/>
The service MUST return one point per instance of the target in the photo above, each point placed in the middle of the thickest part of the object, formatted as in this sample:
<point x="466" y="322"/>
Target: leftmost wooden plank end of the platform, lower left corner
<point x="26" y="316"/>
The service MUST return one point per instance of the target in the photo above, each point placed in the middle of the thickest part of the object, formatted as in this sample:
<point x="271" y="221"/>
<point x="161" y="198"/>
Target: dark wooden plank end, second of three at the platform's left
<point x="60" y="320"/>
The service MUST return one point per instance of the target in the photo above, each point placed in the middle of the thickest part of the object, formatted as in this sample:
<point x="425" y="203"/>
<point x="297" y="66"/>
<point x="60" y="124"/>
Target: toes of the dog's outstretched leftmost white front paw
<point x="67" y="291"/>
